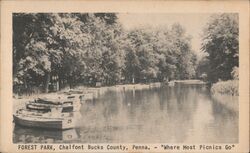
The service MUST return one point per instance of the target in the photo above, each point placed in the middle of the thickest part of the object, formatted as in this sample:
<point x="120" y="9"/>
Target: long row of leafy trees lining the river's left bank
<point x="88" y="48"/>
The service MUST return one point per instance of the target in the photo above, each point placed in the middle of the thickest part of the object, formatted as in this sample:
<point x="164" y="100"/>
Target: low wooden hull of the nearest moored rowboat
<point x="61" y="124"/>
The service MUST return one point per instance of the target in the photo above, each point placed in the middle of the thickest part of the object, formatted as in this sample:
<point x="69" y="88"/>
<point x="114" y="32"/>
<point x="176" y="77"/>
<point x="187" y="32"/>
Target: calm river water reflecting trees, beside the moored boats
<point x="179" y="114"/>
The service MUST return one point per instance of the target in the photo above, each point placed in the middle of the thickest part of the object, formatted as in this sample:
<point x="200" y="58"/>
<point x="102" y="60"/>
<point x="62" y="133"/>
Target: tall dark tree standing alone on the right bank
<point x="221" y="43"/>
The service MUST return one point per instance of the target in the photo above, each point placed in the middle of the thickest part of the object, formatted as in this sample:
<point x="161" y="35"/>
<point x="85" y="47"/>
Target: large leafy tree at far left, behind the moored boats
<point x="40" y="44"/>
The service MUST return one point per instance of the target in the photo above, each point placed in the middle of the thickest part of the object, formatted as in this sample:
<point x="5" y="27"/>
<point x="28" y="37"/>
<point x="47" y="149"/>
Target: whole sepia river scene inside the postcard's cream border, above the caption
<point x="125" y="77"/>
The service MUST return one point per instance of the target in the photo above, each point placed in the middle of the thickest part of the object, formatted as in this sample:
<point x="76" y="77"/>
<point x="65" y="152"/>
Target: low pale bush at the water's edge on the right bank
<point x="230" y="87"/>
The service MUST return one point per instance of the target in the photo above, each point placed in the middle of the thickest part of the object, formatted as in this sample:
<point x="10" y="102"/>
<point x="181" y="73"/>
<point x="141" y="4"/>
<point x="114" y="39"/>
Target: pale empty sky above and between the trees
<point x="192" y="22"/>
